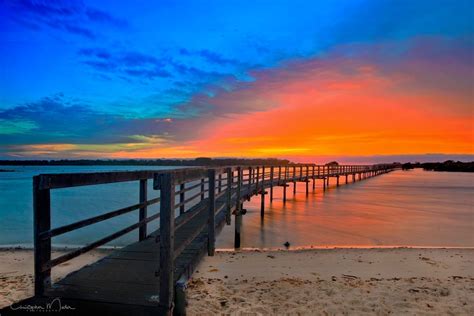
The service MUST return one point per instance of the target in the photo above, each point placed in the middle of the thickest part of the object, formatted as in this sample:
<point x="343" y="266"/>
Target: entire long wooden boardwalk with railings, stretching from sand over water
<point x="147" y="277"/>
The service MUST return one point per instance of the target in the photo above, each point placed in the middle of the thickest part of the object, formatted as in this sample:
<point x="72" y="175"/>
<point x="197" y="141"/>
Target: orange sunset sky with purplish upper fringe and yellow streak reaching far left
<point x="316" y="107"/>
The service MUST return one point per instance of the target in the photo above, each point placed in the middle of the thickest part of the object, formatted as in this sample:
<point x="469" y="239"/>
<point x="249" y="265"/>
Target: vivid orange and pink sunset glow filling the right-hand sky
<point x="335" y="108"/>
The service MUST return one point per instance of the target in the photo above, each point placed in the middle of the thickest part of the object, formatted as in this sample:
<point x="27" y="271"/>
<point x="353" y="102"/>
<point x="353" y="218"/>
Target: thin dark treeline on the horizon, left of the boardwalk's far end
<point x="149" y="162"/>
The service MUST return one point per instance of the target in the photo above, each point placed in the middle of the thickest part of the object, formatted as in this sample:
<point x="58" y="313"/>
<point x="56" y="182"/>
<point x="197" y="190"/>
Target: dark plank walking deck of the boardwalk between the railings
<point x="136" y="264"/>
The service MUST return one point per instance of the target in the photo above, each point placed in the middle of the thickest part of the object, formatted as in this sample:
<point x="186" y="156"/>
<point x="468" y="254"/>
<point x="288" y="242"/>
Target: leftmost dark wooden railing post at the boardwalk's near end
<point x="42" y="223"/>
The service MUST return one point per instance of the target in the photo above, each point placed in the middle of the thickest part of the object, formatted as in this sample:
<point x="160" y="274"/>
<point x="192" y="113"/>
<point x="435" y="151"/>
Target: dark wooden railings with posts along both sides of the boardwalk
<point x="184" y="195"/>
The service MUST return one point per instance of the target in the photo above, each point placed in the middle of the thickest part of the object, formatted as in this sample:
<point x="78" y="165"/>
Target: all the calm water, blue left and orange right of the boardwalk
<point x="412" y="208"/>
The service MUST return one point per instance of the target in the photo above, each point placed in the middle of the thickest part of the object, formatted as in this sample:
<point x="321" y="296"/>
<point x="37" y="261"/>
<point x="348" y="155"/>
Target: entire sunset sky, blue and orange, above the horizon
<point x="357" y="81"/>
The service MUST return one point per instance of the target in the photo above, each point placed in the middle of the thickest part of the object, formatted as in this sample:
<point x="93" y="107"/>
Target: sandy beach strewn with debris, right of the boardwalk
<point x="335" y="281"/>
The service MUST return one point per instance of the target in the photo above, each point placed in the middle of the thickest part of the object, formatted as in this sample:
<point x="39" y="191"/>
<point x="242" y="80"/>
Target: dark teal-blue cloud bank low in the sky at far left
<point x="57" y="119"/>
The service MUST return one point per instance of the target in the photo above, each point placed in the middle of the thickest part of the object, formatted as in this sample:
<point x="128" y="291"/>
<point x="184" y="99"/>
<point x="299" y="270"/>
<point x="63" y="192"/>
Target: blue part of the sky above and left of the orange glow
<point x="98" y="75"/>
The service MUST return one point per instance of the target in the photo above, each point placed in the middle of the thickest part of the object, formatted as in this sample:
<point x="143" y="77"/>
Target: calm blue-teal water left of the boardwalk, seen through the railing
<point x="69" y="205"/>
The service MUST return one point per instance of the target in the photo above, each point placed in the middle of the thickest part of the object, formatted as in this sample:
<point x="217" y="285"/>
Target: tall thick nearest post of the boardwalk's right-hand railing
<point x="167" y="192"/>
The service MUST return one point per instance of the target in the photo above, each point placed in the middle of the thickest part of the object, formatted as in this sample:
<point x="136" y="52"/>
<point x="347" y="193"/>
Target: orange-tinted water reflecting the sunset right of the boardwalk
<point x="403" y="208"/>
